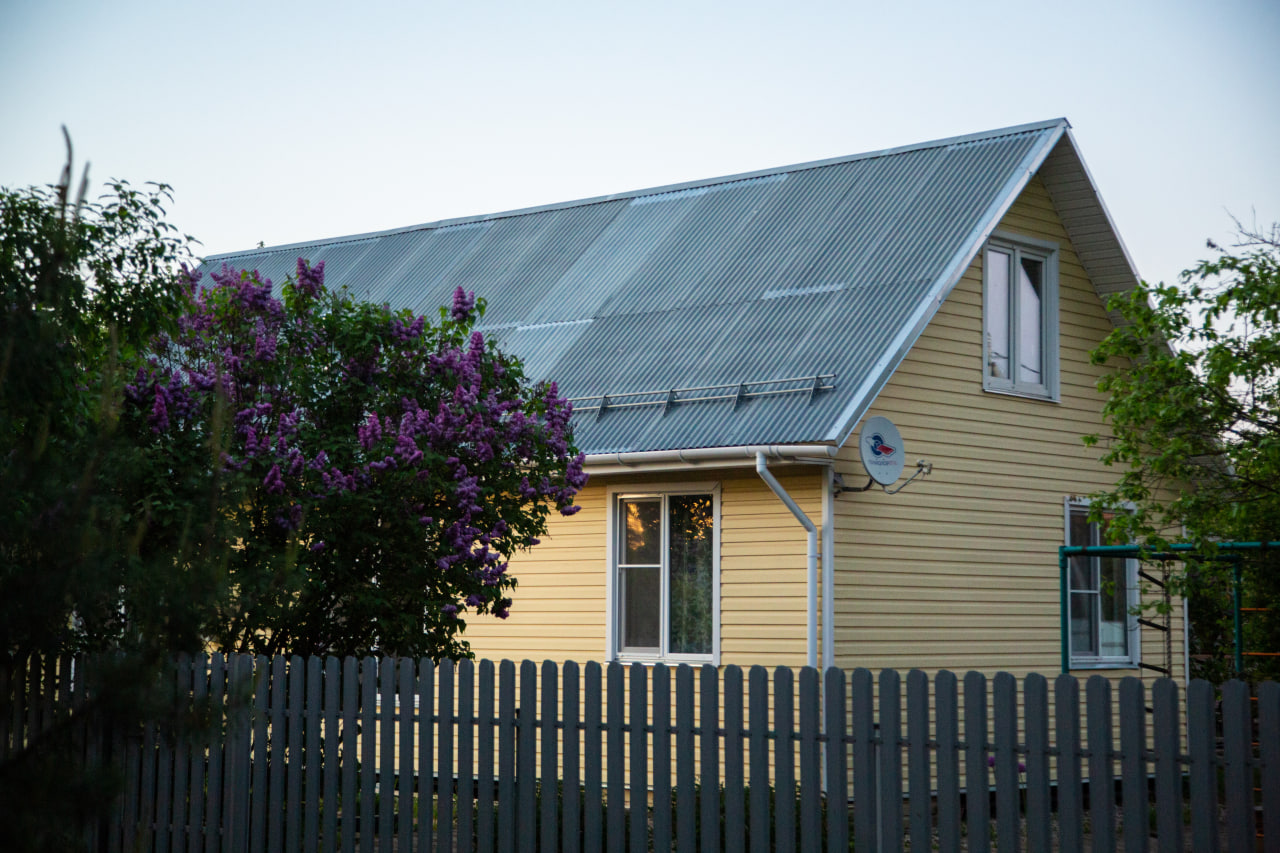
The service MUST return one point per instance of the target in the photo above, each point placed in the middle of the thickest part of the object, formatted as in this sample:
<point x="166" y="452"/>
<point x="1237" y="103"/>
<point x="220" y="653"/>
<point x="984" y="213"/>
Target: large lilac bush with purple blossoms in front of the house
<point x="380" y="472"/>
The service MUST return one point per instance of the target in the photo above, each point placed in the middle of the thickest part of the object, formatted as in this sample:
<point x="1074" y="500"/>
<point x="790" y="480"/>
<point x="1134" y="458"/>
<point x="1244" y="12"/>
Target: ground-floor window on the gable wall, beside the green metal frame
<point x="1103" y="597"/>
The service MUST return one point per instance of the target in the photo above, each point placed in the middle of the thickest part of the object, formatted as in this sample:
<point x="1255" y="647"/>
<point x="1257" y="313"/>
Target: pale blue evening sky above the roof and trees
<point x="284" y="122"/>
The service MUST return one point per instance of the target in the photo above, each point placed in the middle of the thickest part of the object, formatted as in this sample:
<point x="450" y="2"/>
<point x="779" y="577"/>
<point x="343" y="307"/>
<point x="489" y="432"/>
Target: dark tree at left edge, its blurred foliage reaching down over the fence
<point x="84" y="288"/>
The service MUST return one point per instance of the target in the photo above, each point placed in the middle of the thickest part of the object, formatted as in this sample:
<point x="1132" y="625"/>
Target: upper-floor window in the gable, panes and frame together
<point x="1021" y="317"/>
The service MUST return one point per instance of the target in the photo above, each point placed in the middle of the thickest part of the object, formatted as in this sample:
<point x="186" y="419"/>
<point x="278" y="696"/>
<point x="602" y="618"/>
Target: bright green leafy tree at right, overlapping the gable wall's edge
<point x="1195" y="418"/>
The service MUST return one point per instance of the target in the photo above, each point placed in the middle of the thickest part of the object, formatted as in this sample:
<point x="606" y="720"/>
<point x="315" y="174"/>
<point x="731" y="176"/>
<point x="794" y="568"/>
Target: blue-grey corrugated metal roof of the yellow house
<point x="817" y="270"/>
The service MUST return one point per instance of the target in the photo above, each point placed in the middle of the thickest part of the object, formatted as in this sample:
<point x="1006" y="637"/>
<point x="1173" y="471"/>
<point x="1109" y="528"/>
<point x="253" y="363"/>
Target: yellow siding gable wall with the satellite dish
<point x="961" y="571"/>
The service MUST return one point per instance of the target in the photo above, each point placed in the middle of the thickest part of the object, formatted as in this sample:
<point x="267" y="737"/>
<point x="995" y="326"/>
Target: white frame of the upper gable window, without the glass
<point x="1045" y="252"/>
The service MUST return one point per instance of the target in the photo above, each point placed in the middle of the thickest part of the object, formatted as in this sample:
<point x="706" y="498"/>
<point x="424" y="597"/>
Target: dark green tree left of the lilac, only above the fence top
<point x="84" y="288"/>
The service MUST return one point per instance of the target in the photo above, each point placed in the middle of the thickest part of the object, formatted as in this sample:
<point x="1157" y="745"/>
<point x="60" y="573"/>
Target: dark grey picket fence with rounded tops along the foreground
<point x="397" y="755"/>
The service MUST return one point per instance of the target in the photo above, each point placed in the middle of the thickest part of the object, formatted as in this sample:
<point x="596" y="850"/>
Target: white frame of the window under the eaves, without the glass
<point x="615" y="495"/>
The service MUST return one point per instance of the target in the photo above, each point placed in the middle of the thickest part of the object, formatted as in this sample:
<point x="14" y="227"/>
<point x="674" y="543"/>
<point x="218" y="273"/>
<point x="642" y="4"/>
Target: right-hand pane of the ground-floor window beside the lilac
<point x="692" y="530"/>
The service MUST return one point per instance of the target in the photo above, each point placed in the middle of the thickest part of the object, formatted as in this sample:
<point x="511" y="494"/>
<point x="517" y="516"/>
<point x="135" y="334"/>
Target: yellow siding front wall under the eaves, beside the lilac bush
<point x="560" y="603"/>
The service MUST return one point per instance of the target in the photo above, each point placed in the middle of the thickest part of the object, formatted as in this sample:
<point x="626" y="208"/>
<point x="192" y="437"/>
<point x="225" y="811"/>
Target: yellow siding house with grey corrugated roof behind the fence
<point x="725" y="344"/>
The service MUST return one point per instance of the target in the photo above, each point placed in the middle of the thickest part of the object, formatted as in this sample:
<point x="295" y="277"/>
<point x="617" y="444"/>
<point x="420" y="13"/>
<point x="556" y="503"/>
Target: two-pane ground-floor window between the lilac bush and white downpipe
<point x="665" y="578"/>
